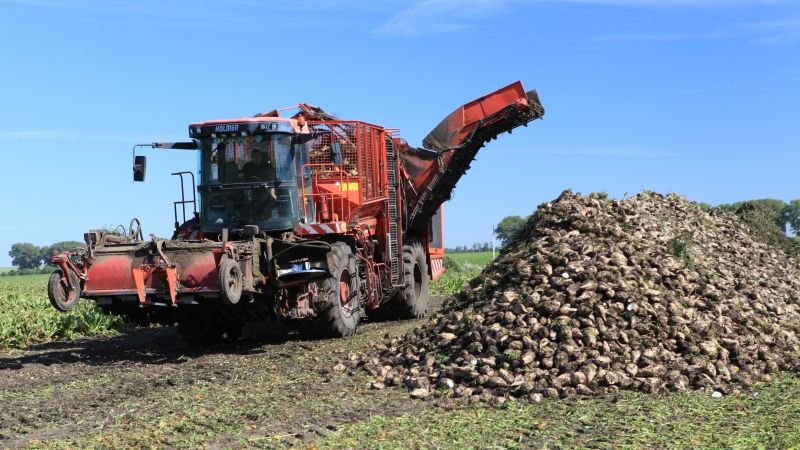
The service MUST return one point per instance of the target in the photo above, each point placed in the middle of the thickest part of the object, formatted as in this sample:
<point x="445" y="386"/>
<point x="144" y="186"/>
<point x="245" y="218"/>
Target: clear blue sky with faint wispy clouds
<point x="688" y="96"/>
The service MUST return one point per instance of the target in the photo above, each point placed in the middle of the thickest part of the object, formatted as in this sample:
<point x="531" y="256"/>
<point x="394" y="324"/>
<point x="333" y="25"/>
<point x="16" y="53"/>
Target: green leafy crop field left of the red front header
<point x="27" y="317"/>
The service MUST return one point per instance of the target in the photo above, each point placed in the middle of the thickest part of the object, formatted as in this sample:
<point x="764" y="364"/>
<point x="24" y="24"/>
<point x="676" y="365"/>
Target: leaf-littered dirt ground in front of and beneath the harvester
<point x="147" y="387"/>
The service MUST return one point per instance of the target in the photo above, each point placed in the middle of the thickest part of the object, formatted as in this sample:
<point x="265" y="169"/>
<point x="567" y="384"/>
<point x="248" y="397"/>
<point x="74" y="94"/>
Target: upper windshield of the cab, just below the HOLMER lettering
<point x="235" y="159"/>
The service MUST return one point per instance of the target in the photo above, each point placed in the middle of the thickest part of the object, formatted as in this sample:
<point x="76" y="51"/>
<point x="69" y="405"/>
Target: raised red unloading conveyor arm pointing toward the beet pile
<point x="434" y="170"/>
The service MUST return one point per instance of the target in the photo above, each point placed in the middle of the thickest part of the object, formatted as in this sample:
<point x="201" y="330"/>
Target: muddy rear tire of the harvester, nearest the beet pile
<point x="412" y="300"/>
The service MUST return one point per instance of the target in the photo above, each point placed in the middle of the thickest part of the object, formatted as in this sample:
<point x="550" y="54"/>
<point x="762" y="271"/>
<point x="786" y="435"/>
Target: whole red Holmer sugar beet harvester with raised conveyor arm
<point x="311" y="219"/>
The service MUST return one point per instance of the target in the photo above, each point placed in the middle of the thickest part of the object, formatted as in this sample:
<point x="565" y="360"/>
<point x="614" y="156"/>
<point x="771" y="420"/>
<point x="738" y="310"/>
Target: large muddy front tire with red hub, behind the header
<point x="339" y="297"/>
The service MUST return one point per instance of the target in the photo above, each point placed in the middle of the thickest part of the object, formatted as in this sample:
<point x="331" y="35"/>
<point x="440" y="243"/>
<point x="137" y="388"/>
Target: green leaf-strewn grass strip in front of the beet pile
<point x="766" y="418"/>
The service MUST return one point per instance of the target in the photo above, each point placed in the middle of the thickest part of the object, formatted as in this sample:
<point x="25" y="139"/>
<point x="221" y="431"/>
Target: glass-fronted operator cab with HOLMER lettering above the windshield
<point x="250" y="174"/>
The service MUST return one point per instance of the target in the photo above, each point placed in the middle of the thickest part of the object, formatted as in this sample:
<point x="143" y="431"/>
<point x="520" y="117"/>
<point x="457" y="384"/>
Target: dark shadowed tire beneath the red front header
<point x="206" y="327"/>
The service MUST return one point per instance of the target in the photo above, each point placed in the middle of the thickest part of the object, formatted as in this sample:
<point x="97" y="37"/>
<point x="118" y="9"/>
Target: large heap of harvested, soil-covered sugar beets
<point x="650" y="293"/>
